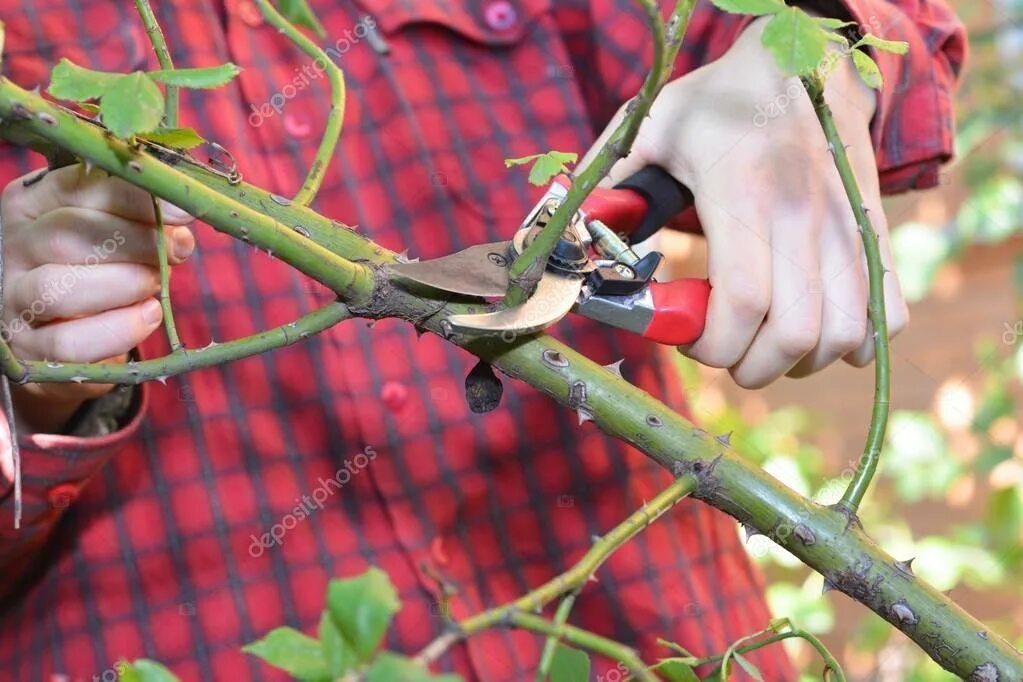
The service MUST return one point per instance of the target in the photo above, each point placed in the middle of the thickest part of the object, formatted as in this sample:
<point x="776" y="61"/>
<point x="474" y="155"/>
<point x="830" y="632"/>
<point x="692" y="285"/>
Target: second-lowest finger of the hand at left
<point x="59" y="292"/>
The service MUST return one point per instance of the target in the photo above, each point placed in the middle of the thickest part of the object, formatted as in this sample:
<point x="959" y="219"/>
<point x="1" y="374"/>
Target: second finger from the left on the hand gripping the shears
<point x="792" y="328"/>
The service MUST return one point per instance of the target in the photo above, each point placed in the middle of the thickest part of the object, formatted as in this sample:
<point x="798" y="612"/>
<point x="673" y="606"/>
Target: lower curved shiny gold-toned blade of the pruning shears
<point x="555" y="296"/>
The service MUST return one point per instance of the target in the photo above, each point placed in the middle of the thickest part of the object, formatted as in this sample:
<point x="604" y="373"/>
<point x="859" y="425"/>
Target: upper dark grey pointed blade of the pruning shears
<point x="479" y="270"/>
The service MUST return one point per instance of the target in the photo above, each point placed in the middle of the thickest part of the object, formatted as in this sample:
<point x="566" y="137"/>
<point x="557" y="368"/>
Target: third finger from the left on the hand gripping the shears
<point x="844" y="287"/>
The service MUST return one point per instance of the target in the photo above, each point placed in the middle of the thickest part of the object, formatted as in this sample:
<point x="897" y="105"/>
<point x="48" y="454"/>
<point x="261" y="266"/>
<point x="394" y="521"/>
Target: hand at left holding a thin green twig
<point x="80" y="277"/>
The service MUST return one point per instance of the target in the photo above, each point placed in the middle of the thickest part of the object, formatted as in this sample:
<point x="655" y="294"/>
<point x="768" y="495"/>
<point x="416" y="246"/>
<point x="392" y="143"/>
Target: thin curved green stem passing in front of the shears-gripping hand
<point x="868" y="465"/>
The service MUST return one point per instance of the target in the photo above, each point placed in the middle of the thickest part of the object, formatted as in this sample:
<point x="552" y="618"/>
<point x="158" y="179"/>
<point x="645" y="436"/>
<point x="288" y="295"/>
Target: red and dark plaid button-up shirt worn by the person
<point x="221" y="511"/>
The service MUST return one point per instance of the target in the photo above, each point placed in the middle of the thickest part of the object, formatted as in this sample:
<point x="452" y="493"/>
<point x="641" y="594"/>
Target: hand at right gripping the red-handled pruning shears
<point x="786" y="261"/>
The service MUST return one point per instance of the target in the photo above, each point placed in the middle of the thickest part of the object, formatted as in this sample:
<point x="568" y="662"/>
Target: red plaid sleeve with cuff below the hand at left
<point x="55" y="471"/>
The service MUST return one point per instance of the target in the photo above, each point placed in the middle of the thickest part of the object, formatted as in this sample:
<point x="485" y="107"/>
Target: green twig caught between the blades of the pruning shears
<point x="529" y="266"/>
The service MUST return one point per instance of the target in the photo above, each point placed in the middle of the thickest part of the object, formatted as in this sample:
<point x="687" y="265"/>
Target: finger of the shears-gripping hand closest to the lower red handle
<point x="740" y="271"/>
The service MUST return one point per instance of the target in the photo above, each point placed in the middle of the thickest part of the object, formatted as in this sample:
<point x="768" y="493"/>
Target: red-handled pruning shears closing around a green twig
<point x="593" y="270"/>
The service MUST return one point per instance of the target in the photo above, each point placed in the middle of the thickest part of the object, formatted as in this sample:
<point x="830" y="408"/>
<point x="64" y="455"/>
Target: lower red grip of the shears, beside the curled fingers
<point x="680" y="311"/>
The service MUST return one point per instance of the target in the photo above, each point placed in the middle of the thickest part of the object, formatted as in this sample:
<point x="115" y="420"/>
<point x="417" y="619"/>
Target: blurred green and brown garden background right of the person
<point x="951" y="490"/>
